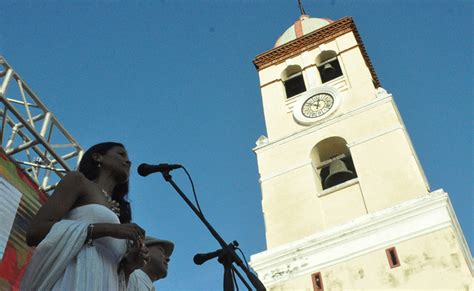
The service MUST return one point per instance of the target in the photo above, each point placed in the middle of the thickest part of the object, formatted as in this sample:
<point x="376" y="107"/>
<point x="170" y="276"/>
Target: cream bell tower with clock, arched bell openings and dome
<point x="341" y="184"/>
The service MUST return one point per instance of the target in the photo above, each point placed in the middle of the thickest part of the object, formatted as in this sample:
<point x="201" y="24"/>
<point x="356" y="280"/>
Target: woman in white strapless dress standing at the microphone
<point x="83" y="229"/>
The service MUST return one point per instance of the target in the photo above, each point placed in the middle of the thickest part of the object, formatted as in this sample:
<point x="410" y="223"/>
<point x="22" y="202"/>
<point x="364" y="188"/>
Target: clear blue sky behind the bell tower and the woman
<point x="174" y="81"/>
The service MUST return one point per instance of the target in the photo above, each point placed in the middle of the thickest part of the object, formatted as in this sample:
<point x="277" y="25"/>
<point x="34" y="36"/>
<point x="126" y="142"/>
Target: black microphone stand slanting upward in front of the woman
<point x="228" y="256"/>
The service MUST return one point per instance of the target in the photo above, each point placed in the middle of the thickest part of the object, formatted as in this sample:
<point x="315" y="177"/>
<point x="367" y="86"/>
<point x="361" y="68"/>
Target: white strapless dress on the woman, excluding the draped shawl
<point x="77" y="275"/>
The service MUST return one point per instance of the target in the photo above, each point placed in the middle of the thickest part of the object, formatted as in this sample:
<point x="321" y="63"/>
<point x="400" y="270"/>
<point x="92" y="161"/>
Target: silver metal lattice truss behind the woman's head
<point x="31" y="134"/>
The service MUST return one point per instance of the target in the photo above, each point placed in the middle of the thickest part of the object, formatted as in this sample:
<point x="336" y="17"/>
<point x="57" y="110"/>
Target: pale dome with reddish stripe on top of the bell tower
<point x="302" y="26"/>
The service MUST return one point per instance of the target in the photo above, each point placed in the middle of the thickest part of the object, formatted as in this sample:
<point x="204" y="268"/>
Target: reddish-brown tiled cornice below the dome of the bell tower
<point x="312" y="40"/>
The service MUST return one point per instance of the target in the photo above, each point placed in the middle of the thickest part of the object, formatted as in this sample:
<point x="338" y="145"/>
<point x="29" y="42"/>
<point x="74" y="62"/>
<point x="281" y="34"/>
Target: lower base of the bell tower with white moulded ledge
<point x="424" y="231"/>
